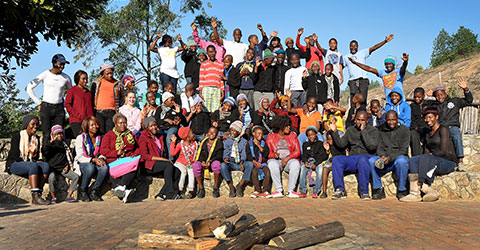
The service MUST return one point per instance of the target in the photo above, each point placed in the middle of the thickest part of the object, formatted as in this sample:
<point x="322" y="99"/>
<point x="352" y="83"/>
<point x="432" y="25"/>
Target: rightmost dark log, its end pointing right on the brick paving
<point x="309" y="236"/>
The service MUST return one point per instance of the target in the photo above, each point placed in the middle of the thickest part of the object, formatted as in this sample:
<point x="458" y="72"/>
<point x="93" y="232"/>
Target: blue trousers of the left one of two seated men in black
<point x="342" y="164"/>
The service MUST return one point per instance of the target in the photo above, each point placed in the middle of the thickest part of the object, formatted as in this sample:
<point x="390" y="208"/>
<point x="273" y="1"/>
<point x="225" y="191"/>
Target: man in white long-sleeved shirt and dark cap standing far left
<point x="51" y="106"/>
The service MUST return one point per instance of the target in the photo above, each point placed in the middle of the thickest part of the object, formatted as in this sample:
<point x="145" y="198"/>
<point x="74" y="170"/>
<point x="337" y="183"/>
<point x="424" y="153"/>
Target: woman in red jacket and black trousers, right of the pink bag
<point x="151" y="147"/>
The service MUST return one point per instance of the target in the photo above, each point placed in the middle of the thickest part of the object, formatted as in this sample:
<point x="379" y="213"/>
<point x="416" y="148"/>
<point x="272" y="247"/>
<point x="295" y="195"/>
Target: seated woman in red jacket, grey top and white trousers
<point x="284" y="151"/>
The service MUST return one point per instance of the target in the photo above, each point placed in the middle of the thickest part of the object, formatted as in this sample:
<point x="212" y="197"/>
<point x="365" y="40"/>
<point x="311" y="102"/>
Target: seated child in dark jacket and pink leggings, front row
<point x="209" y="157"/>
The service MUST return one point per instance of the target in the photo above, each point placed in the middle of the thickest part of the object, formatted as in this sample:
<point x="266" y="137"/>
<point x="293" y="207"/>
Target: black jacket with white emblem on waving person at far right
<point x="450" y="109"/>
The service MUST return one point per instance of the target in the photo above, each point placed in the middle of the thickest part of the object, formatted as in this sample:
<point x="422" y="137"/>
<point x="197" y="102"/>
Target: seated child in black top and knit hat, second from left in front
<point x="60" y="160"/>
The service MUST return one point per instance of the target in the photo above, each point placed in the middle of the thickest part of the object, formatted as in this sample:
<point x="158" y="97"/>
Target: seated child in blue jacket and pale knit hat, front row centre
<point x="235" y="159"/>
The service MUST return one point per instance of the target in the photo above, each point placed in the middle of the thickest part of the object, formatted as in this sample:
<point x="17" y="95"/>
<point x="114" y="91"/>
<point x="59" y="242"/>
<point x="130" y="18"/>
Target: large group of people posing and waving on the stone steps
<point x="249" y="107"/>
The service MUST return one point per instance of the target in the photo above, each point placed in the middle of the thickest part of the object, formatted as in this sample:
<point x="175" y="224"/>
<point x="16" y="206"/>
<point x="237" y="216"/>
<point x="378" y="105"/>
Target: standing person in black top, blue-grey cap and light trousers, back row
<point x="263" y="78"/>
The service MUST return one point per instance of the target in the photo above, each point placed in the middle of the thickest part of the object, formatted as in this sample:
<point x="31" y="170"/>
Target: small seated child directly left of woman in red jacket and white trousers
<point x="257" y="152"/>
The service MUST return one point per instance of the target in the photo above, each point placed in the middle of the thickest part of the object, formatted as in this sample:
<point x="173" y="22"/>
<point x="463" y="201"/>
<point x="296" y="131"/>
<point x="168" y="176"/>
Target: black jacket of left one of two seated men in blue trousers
<point x="359" y="142"/>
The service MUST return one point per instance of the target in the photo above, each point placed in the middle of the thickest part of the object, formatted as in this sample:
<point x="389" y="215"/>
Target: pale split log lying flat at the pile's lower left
<point x="165" y="241"/>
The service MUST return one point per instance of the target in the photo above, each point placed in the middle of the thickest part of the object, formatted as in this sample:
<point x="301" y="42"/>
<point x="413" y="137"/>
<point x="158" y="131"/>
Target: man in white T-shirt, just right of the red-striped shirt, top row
<point x="235" y="48"/>
